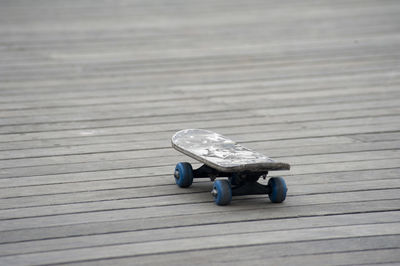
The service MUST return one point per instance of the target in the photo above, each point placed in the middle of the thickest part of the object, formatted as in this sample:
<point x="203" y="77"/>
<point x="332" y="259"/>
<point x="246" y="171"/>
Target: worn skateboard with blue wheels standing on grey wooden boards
<point x="223" y="157"/>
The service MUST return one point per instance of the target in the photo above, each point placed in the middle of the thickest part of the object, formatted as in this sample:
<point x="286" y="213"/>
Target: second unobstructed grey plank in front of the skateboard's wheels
<point x="196" y="231"/>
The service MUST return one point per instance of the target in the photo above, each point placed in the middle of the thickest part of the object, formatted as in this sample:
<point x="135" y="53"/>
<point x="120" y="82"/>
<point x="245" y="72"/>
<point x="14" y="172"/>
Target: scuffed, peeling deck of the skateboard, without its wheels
<point x="222" y="153"/>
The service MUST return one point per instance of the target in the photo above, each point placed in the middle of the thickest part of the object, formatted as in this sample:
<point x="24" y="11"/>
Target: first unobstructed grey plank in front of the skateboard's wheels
<point x="84" y="228"/>
